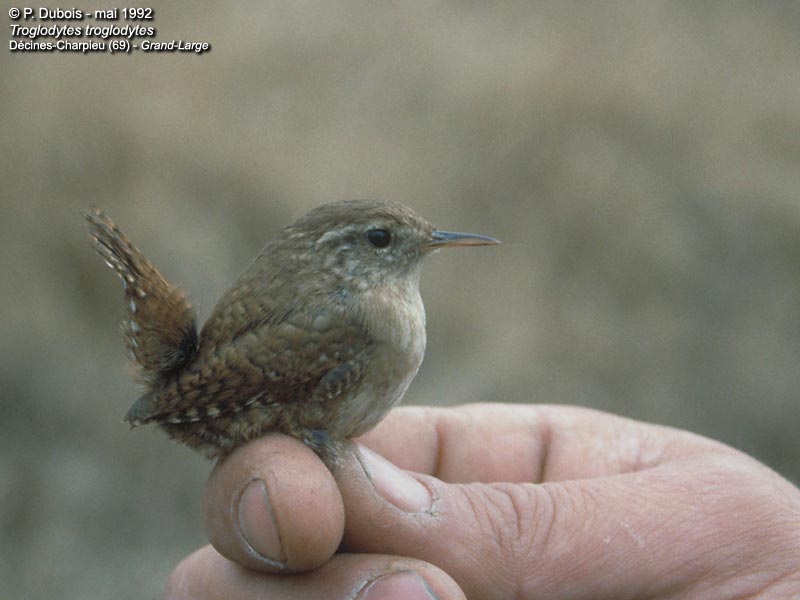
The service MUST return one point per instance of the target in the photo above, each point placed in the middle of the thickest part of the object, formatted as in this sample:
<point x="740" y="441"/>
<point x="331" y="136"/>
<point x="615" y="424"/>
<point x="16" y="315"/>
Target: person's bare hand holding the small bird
<point x="498" y="501"/>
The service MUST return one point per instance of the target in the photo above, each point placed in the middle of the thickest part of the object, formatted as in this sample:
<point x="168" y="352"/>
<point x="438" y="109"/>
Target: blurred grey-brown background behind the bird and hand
<point x="639" y="161"/>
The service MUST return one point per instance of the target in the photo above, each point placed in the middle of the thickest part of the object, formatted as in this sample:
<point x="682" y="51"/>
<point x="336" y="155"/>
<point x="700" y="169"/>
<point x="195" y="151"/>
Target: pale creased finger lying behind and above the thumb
<point x="526" y="443"/>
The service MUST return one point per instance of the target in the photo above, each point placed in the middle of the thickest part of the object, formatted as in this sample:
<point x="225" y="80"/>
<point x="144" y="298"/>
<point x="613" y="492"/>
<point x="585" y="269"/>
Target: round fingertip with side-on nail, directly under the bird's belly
<point x="273" y="506"/>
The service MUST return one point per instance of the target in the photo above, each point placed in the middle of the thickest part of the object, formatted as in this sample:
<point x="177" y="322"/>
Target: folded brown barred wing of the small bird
<point x="298" y="360"/>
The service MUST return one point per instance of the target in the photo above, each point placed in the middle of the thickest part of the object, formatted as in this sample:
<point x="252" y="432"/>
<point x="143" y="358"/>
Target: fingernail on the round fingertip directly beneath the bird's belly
<point x="257" y="524"/>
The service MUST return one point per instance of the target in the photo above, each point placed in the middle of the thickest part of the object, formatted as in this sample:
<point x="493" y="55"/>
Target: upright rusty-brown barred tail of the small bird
<point x="160" y="324"/>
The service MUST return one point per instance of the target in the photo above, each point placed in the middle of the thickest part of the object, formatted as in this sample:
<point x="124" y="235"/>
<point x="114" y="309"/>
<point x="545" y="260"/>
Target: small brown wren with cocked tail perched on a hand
<point x="318" y="338"/>
